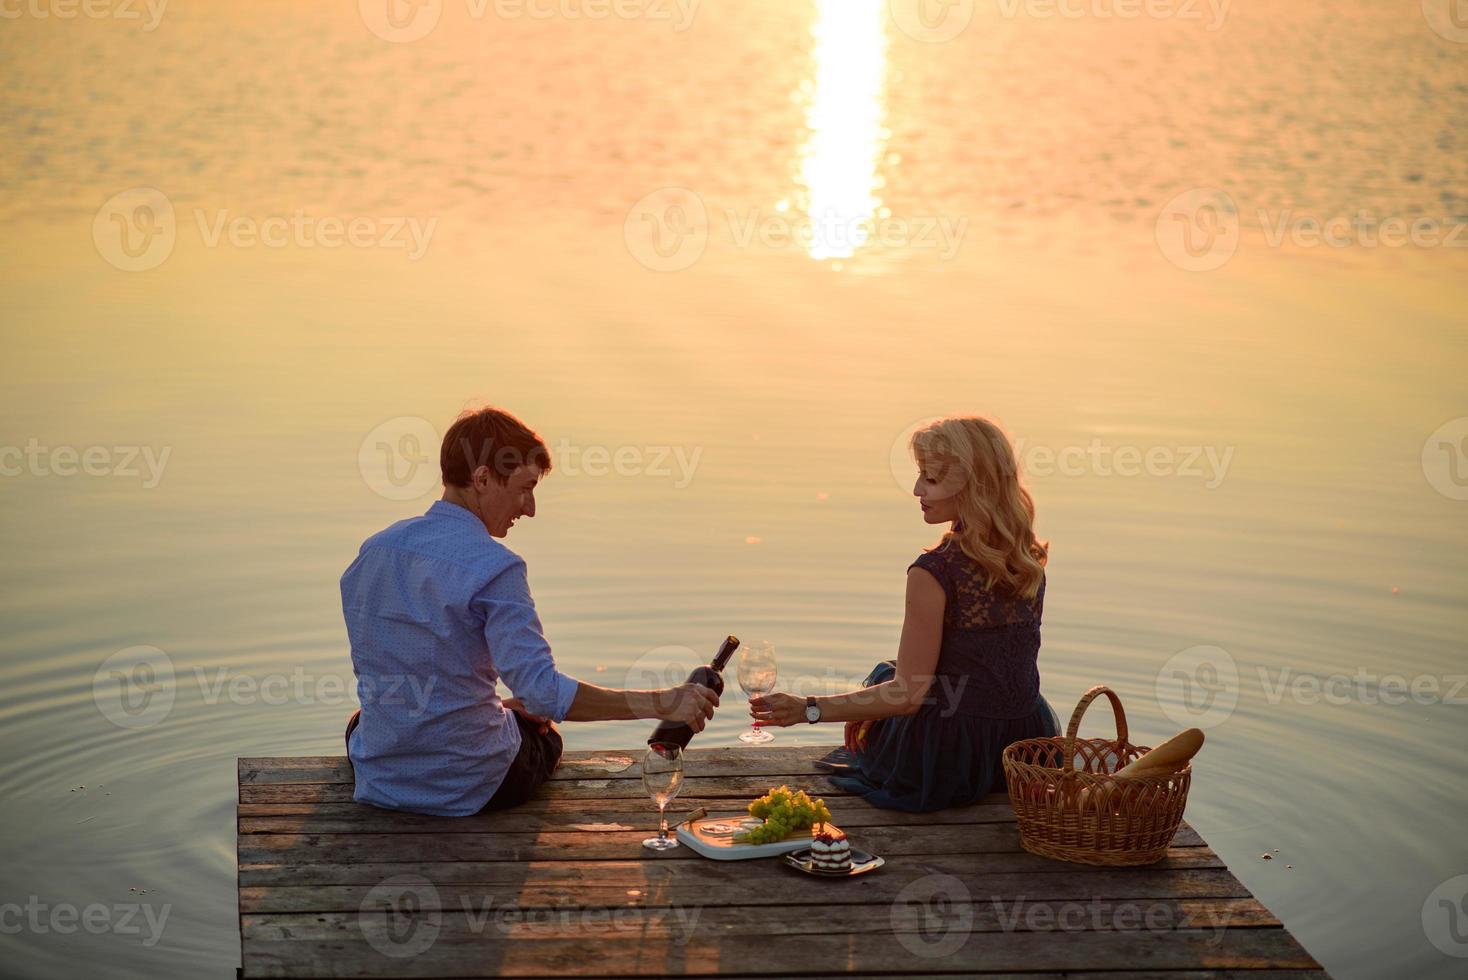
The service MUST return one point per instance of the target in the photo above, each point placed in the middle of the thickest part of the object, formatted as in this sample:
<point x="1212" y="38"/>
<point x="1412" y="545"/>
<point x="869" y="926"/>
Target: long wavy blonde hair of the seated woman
<point x="996" y="524"/>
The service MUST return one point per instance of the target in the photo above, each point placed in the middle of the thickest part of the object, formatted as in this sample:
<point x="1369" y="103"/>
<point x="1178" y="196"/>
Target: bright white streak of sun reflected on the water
<point x="839" y="168"/>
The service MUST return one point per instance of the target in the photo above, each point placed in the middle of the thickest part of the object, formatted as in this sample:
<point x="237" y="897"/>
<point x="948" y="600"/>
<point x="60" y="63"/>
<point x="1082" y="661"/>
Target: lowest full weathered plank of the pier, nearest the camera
<point x="788" y="956"/>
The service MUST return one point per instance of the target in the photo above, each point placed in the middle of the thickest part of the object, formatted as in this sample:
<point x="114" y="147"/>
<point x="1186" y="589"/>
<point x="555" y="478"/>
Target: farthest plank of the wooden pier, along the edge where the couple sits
<point x="575" y="765"/>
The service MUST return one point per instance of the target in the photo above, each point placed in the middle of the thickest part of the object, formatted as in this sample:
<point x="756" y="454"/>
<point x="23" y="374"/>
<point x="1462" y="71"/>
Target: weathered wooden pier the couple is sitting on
<point x="563" y="888"/>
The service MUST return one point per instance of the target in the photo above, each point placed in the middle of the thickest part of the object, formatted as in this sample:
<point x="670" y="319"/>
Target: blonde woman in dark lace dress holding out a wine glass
<point x="930" y="728"/>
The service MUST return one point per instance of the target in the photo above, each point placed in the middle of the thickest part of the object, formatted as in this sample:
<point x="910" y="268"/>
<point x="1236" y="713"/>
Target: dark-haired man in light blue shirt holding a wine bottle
<point x="438" y="611"/>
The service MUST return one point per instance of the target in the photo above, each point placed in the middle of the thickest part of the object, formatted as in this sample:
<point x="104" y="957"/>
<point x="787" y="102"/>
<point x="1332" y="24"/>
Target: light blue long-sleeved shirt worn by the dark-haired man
<point x="437" y="612"/>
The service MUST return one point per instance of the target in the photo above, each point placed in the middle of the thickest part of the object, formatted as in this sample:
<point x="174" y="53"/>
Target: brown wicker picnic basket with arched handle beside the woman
<point x="1071" y="808"/>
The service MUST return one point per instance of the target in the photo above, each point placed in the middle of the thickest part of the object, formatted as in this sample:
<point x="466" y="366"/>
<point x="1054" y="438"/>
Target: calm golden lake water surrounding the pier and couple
<point x="1247" y="445"/>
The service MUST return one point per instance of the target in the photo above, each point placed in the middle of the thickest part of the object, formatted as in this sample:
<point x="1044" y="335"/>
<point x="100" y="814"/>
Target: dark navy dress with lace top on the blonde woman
<point x="986" y="696"/>
